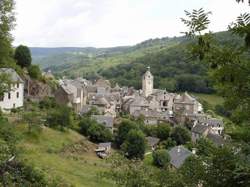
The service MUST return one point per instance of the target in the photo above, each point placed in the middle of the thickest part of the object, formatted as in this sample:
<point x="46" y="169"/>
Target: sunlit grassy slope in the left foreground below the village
<point x="79" y="169"/>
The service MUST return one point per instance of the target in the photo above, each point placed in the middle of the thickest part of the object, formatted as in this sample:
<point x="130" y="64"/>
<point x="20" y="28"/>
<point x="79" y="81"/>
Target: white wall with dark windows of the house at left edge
<point x="13" y="102"/>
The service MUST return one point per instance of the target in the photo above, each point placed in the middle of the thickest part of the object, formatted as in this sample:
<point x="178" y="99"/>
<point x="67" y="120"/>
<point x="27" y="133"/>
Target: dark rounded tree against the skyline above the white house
<point x="23" y="56"/>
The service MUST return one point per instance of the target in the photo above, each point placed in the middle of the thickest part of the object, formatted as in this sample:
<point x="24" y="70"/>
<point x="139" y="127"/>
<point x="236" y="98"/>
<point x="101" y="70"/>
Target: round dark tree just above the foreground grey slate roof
<point x="180" y="135"/>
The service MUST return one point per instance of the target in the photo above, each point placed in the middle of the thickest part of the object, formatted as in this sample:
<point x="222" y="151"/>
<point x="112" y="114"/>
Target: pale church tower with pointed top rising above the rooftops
<point x="147" y="83"/>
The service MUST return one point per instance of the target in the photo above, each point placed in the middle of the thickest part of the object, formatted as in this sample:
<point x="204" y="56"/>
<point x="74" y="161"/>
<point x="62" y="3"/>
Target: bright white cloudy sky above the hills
<point x="108" y="23"/>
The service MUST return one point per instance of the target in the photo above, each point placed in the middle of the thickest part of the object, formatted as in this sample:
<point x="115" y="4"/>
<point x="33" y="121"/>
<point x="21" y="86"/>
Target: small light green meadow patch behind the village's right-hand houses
<point x="212" y="99"/>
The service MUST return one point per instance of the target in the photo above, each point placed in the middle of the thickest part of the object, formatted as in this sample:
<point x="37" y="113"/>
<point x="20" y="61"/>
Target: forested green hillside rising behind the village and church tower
<point x="167" y="57"/>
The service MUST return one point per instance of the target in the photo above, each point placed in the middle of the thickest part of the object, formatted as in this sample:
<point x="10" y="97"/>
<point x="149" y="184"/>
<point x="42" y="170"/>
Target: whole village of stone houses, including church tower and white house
<point x="154" y="106"/>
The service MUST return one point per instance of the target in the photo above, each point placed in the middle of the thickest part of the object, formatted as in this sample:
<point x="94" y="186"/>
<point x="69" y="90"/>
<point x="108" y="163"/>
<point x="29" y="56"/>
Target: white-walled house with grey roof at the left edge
<point x="14" y="98"/>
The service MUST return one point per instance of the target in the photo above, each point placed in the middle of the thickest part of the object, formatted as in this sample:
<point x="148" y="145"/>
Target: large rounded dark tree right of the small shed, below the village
<point x="134" y="145"/>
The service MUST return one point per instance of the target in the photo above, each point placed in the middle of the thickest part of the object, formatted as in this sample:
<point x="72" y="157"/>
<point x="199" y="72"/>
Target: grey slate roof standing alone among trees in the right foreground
<point x="178" y="155"/>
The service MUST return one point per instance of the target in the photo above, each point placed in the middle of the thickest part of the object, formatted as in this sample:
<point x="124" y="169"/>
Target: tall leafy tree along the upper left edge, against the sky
<point x="7" y="23"/>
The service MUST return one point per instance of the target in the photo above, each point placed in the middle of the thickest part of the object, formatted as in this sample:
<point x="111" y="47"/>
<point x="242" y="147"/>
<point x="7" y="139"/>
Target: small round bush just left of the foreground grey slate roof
<point x="161" y="158"/>
